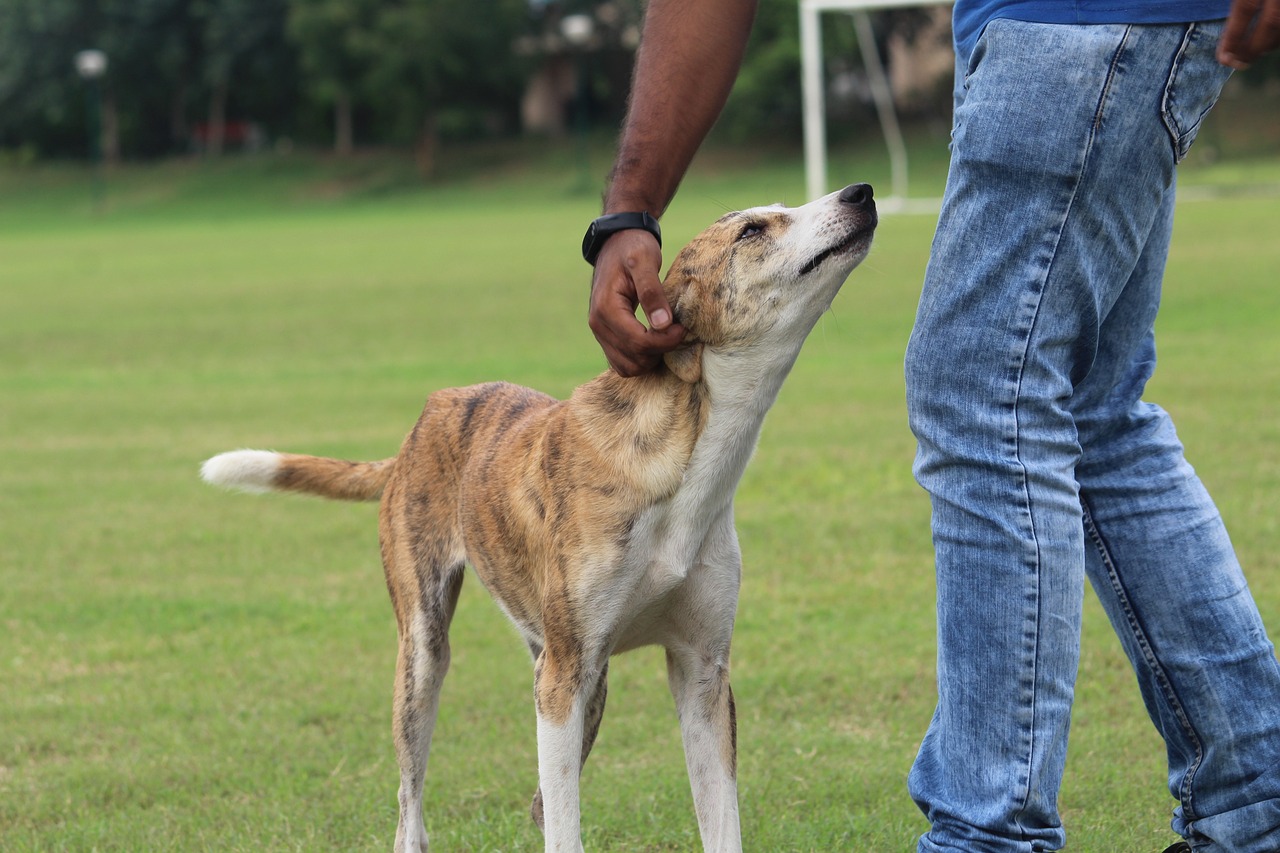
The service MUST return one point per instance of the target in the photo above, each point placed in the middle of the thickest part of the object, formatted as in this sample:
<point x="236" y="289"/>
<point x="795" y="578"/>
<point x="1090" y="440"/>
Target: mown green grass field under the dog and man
<point x="186" y="668"/>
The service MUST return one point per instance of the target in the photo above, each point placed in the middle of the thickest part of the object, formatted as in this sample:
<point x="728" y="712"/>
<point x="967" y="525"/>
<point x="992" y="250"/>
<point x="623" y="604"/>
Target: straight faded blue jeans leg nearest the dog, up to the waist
<point x="1059" y="194"/>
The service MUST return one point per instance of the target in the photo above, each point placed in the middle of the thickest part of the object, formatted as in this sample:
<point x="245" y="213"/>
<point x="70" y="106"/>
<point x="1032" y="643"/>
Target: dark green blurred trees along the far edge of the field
<point x="193" y="75"/>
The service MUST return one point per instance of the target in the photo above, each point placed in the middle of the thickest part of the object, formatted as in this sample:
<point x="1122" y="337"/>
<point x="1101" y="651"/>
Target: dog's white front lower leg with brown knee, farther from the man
<point x="561" y="697"/>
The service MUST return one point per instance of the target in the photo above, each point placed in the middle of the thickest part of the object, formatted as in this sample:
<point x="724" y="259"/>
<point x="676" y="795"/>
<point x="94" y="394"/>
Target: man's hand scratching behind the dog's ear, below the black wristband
<point x="627" y="276"/>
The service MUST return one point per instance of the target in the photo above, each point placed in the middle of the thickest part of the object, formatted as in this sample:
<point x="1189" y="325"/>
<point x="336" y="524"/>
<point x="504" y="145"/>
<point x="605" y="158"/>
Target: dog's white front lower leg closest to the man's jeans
<point x="708" y="727"/>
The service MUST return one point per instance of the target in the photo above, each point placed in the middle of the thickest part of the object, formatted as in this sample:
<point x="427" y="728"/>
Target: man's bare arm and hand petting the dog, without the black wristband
<point x="691" y="52"/>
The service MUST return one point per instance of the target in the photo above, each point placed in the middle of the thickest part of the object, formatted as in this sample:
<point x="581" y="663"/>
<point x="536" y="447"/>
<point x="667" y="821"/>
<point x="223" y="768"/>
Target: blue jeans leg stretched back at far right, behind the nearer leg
<point x="1165" y="572"/>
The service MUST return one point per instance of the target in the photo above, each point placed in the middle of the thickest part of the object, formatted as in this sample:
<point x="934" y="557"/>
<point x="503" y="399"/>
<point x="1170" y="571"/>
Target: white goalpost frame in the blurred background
<point x="815" y="104"/>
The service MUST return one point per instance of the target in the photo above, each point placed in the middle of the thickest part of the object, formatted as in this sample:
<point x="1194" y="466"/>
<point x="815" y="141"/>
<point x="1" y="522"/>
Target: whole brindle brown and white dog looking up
<point x="602" y="523"/>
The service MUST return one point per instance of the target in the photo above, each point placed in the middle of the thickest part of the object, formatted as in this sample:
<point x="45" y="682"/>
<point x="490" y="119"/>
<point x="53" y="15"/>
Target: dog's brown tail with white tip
<point x="268" y="472"/>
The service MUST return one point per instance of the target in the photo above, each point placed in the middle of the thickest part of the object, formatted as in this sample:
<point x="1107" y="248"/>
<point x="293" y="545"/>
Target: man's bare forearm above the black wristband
<point x="689" y="57"/>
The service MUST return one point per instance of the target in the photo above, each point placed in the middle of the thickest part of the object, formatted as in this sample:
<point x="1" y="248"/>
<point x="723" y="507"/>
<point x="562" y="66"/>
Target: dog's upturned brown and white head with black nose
<point x="766" y="275"/>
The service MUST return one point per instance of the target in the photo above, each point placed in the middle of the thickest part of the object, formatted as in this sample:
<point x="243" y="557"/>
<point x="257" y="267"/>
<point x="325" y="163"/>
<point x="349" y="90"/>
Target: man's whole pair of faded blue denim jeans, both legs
<point x="1026" y="371"/>
